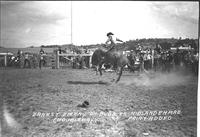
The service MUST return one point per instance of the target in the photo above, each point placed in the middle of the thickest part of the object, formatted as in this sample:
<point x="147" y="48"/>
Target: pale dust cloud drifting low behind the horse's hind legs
<point x="157" y="79"/>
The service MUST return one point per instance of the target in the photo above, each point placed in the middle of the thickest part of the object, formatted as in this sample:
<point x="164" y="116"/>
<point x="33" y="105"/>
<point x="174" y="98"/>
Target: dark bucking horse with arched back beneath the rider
<point x="115" y="58"/>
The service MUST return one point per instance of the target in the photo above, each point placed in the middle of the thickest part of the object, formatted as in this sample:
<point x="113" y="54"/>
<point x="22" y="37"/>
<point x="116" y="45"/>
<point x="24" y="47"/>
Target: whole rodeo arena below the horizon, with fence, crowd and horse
<point x="77" y="91"/>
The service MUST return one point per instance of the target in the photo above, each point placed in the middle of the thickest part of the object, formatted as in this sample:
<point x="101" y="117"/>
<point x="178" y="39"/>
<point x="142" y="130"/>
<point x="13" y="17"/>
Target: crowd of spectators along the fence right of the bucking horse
<point x="159" y="59"/>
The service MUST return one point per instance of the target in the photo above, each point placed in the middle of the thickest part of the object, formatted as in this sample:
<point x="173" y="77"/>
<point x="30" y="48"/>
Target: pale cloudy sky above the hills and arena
<point x="36" y="23"/>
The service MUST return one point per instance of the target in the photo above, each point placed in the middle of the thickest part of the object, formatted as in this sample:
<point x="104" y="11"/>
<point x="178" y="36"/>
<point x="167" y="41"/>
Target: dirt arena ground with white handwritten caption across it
<point x="39" y="103"/>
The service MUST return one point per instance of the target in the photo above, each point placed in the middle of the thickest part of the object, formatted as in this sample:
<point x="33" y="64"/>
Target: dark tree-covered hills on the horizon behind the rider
<point x="165" y="43"/>
